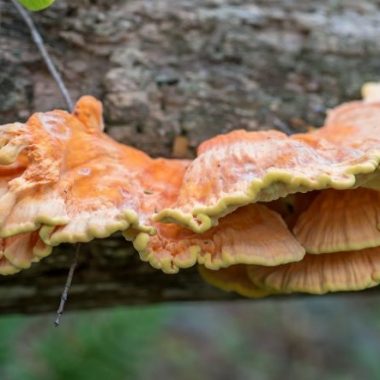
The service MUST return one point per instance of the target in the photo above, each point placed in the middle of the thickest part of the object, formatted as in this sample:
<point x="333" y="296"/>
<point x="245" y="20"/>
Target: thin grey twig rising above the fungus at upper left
<point x="45" y="55"/>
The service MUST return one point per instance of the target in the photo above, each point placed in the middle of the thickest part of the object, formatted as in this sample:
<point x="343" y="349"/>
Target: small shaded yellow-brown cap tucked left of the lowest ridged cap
<point x="233" y="279"/>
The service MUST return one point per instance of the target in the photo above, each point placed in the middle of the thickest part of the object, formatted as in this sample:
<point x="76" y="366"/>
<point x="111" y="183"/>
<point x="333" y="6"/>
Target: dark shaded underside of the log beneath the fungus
<point x="110" y="273"/>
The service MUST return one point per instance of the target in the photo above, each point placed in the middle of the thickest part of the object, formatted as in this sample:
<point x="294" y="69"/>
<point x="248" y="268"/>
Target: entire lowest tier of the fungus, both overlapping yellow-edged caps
<point x="315" y="274"/>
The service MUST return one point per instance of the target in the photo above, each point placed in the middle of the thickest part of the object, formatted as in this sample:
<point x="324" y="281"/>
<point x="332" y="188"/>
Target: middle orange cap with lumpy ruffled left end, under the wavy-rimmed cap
<point x="252" y="234"/>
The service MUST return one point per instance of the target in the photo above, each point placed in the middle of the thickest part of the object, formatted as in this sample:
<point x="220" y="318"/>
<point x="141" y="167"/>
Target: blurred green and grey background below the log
<point x="335" y="337"/>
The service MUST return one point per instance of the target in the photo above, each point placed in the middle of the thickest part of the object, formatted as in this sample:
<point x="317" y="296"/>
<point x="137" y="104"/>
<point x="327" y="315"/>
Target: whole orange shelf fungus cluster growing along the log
<point x="260" y="212"/>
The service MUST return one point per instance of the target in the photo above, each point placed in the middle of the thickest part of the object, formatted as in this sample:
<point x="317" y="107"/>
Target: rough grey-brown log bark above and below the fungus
<point x="168" y="68"/>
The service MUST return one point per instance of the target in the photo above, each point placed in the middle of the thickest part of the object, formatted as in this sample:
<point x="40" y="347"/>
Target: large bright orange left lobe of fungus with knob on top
<point x="63" y="180"/>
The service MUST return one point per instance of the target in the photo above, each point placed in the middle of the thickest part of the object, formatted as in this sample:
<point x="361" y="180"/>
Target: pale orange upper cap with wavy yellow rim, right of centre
<point x="242" y="167"/>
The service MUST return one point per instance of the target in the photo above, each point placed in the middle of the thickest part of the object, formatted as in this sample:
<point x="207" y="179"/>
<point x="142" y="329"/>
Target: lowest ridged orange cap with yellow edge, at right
<point x="319" y="274"/>
